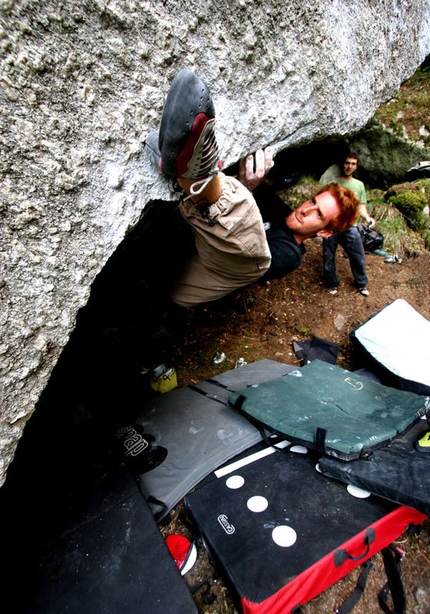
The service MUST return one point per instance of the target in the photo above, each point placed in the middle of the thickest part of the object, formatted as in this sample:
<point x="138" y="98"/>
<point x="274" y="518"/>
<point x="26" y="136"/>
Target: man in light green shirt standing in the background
<point x="349" y="239"/>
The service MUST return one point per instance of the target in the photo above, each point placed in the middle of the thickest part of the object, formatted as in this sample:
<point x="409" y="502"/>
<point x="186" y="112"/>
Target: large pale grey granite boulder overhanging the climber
<point x="82" y="83"/>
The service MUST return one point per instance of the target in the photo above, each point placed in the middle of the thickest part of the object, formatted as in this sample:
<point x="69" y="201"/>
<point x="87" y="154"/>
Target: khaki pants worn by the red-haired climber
<point x="232" y="249"/>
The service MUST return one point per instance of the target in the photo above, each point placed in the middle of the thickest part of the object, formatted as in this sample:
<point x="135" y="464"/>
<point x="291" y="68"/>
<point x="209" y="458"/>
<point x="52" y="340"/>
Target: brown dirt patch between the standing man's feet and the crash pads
<point x="261" y="321"/>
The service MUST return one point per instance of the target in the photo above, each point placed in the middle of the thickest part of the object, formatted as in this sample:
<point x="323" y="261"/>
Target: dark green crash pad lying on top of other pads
<point x="331" y="409"/>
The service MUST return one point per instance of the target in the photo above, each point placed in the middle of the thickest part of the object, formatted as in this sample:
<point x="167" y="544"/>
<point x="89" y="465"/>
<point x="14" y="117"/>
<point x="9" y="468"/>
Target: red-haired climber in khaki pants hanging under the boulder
<point x="235" y="246"/>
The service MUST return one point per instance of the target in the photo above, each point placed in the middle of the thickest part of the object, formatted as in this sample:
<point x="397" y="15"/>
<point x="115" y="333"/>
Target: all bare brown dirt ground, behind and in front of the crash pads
<point x="261" y="321"/>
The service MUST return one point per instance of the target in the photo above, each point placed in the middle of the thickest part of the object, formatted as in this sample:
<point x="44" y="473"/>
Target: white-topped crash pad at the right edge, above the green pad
<point x="397" y="339"/>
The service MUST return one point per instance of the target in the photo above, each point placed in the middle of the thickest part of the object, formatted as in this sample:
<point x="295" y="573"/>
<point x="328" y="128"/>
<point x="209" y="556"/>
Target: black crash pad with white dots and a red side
<point x="311" y="533"/>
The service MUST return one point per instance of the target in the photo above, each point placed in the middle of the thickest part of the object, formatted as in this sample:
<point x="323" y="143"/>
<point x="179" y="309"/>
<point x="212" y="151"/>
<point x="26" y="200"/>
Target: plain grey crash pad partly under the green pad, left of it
<point x="178" y="438"/>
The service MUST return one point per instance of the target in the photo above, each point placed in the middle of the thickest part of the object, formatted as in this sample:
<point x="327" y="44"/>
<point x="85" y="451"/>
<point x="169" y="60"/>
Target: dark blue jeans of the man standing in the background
<point x="351" y="242"/>
